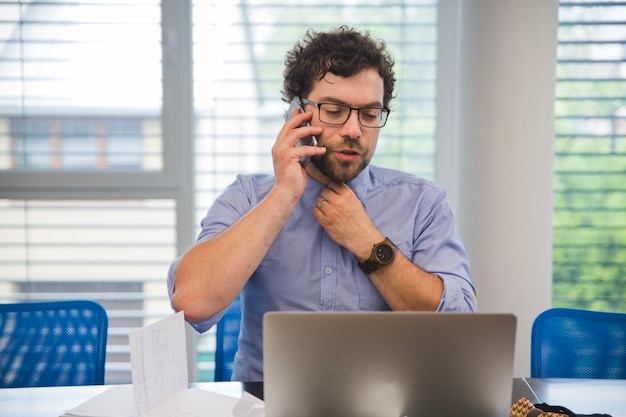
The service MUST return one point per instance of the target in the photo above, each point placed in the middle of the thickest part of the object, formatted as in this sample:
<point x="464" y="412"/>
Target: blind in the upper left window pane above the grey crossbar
<point x="80" y="86"/>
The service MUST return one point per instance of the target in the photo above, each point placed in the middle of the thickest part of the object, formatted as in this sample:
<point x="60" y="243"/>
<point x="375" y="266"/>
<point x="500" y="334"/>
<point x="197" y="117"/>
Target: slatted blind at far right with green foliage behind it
<point x="590" y="160"/>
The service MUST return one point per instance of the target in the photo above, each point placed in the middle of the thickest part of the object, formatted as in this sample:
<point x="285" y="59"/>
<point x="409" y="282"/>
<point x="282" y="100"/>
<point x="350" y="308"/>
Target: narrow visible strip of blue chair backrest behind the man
<point x="227" y="335"/>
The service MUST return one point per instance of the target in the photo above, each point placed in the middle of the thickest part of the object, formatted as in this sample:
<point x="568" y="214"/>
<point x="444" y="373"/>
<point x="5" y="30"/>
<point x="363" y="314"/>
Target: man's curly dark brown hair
<point x="343" y="52"/>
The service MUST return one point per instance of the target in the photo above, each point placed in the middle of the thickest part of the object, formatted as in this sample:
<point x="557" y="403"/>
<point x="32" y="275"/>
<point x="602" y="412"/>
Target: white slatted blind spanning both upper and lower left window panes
<point x="81" y="99"/>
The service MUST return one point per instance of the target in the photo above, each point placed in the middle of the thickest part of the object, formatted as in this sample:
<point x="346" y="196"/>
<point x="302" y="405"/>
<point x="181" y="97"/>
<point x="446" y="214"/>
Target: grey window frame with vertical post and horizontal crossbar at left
<point x="172" y="182"/>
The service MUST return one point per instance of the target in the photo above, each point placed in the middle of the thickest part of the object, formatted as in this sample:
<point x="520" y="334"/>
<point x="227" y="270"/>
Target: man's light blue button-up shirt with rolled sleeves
<point x="305" y="269"/>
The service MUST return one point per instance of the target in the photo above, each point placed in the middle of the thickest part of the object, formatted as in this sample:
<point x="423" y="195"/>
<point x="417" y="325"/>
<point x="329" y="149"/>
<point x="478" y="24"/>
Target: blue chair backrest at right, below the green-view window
<point x="571" y="343"/>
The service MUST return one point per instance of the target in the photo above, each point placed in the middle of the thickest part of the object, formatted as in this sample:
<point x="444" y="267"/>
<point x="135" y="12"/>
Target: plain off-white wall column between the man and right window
<point x="498" y="132"/>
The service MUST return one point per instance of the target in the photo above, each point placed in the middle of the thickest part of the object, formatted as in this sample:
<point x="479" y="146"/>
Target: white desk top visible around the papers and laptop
<point x="581" y="396"/>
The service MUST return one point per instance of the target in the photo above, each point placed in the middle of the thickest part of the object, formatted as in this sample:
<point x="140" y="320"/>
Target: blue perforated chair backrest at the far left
<point x="52" y="343"/>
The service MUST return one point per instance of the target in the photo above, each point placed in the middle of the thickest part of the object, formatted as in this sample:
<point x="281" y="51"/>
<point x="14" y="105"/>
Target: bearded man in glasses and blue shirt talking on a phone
<point x="332" y="234"/>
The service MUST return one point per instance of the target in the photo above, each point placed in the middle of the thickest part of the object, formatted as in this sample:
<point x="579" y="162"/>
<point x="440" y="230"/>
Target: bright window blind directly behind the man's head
<point x="239" y="50"/>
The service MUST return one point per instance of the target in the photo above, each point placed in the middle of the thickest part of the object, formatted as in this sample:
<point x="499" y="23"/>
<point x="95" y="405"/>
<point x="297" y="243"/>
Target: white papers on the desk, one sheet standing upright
<point x="158" y="355"/>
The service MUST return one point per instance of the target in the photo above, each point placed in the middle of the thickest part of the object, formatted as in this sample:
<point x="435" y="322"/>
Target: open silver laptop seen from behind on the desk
<point x="388" y="364"/>
